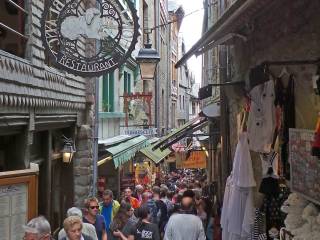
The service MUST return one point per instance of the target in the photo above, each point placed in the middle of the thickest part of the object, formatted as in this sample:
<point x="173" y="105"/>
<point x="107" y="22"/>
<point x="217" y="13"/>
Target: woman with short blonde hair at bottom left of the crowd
<point x="73" y="227"/>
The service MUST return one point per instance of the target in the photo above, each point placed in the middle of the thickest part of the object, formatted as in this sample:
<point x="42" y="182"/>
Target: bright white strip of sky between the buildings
<point x="191" y="31"/>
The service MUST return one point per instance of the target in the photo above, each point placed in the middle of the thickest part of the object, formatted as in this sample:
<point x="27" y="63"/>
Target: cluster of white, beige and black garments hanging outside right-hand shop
<point x="271" y="114"/>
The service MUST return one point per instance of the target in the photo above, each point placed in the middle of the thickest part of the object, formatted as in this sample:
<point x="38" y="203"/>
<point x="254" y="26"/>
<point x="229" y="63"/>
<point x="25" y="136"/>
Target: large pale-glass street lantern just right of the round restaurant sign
<point x="147" y="59"/>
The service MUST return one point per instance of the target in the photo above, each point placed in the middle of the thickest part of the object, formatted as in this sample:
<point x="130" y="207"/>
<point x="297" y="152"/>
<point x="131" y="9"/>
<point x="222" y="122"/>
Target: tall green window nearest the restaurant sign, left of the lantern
<point x="108" y="92"/>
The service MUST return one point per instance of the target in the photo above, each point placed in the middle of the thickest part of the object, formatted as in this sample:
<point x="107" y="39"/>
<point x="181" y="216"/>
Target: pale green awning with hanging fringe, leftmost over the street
<point x="123" y="152"/>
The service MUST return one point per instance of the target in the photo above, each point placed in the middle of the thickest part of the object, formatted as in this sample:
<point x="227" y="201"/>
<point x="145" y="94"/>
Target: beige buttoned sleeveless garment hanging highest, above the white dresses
<point x="261" y="120"/>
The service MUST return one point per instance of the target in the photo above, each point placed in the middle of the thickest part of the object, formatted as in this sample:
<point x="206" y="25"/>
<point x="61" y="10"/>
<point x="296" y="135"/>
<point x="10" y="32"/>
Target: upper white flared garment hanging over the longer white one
<point x="242" y="164"/>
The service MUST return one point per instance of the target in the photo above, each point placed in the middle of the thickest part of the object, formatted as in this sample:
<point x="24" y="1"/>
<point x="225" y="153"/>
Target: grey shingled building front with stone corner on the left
<point x="40" y="104"/>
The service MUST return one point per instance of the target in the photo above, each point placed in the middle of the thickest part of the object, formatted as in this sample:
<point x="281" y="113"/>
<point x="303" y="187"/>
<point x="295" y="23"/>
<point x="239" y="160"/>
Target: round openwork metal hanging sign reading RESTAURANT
<point x="70" y="29"/>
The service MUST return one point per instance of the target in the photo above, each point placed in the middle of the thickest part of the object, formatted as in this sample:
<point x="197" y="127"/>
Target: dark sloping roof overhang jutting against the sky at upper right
<point x="224" y="29"/>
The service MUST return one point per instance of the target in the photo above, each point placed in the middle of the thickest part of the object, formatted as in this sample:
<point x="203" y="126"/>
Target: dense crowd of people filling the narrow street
<point x="175" y="208"/>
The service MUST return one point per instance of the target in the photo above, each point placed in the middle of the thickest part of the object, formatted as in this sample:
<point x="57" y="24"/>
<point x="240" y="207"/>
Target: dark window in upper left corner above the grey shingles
<point x="12" y="27"/>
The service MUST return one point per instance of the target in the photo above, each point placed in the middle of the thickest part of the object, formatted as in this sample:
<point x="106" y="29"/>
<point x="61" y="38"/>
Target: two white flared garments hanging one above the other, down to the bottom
<point x="238" y="211"/>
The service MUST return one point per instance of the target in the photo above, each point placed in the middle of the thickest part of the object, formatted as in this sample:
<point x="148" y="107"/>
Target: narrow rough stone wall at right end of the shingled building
<point x="86" y="138"/>
